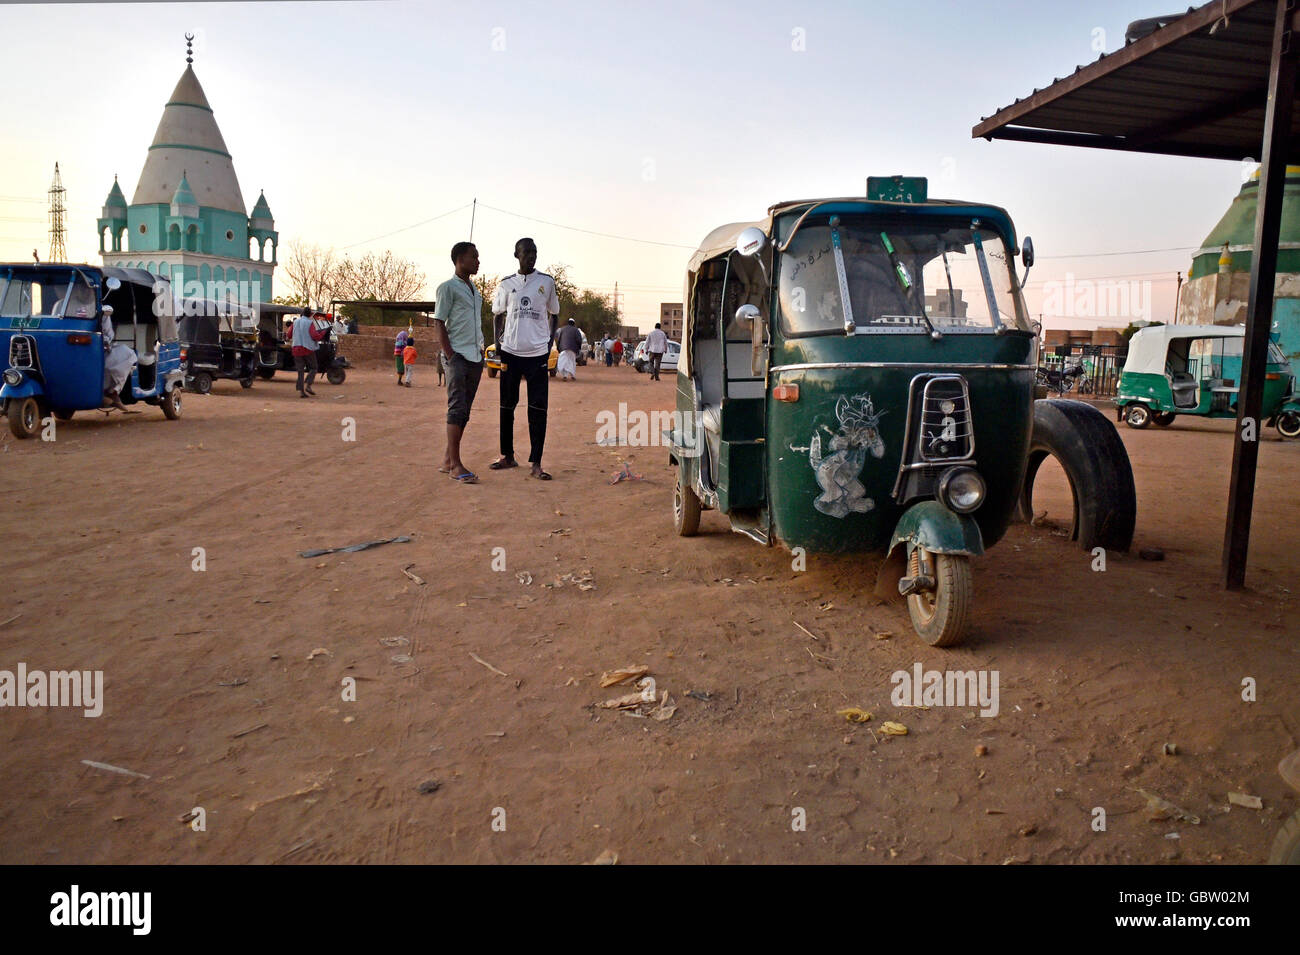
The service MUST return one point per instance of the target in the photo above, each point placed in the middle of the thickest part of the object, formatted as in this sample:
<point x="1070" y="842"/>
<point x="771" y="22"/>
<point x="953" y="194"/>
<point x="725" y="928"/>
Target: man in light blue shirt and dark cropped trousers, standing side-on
<point x="458" y="327"/>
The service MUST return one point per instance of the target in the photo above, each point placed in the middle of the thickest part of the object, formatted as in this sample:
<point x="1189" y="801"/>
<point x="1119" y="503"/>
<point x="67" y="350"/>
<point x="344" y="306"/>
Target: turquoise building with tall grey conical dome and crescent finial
<point x="187" y="220"/>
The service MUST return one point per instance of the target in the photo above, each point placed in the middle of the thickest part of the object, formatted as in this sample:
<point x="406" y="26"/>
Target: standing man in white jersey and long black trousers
<point x="526" y="312"/>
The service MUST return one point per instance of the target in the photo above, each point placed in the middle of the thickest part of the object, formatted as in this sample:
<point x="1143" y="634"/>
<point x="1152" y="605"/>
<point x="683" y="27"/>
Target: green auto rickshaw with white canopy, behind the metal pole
<point x="1197" y="370"/>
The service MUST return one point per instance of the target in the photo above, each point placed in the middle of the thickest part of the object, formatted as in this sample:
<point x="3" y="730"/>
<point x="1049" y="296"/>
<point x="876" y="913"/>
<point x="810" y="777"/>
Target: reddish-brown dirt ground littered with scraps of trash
<point x="226" y="687"/>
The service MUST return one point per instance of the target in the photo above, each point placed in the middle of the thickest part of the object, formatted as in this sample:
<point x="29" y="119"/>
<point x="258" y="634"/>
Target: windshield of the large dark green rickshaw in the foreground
<point x="899" y="272"/>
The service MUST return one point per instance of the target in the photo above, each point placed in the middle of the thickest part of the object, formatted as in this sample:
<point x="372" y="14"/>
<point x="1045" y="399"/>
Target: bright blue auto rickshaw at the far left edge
<point x="63" y="328"/>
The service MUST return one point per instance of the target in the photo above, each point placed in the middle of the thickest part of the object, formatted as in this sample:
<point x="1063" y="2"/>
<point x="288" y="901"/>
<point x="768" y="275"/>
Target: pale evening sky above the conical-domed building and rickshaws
<point x="653" y="121"/>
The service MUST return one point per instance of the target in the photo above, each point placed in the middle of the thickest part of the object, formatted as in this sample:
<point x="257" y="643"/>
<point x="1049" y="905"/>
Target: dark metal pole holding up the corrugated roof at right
<point x="1259" y="318"/>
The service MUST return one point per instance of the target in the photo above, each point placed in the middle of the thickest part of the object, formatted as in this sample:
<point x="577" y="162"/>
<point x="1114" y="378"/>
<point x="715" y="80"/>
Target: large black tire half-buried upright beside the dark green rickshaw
<point x="1097" y="463"/>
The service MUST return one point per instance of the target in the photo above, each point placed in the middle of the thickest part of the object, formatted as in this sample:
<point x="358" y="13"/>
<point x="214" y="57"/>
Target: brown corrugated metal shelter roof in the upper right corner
<point x="1194" y="88"/>
